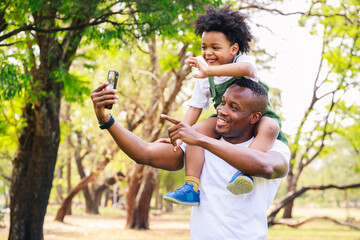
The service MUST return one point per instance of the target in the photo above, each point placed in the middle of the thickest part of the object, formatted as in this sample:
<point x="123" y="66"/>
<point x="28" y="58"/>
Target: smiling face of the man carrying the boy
<point x="235" y="120"/>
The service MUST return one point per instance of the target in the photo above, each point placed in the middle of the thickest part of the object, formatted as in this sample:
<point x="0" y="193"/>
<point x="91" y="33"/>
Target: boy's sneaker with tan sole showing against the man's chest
<point x="240" y="183"/>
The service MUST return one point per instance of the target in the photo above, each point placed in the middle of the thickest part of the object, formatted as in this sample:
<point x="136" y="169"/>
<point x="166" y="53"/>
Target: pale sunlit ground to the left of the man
<point x="95" y="227"/>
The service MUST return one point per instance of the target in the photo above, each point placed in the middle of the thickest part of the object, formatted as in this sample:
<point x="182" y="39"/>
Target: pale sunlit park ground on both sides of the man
<point x="175" y="226"/>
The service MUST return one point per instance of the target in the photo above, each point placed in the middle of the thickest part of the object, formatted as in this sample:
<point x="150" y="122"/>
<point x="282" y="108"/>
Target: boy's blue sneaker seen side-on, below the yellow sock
<point x="184" y="195"/>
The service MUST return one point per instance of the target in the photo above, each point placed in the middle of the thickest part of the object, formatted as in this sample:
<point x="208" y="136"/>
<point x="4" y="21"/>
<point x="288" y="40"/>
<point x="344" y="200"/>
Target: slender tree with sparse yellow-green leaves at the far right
<point x="336" y="80"/>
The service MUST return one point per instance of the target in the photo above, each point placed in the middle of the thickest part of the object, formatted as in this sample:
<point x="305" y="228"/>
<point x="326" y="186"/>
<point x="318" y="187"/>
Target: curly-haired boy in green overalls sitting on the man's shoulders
<point x="224" y="34"/>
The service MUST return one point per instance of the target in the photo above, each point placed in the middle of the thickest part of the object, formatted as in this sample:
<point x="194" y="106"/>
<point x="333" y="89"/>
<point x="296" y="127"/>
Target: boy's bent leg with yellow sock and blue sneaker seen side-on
<point x="188" y="194"/>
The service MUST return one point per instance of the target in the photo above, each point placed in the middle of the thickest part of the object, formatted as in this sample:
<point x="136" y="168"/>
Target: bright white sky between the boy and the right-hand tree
<point x="296" y="63"/>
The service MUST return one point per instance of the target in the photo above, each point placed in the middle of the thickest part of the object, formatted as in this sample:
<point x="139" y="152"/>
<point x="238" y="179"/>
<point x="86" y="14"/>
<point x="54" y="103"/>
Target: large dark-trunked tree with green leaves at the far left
<point x="48" y="34"/>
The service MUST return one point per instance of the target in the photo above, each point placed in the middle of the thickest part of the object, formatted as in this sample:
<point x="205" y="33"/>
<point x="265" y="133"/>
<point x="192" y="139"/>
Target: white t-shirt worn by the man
<point x="223" y="215"/>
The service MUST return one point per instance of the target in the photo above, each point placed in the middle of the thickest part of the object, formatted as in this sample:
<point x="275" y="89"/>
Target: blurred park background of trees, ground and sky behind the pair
<point x="61" y="177"/>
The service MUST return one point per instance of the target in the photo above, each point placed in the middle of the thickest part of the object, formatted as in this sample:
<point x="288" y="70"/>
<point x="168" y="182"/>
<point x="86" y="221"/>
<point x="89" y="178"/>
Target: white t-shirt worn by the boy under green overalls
<point x="201" y="94"/>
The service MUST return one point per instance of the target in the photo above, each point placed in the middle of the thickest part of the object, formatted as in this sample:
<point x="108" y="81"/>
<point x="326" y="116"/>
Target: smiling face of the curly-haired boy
<point x="216" y="49"/>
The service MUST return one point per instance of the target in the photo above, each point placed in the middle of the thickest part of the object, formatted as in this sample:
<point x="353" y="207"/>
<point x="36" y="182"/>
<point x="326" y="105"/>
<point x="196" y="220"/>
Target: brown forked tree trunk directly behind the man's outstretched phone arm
<point x="163" y="87"/>
